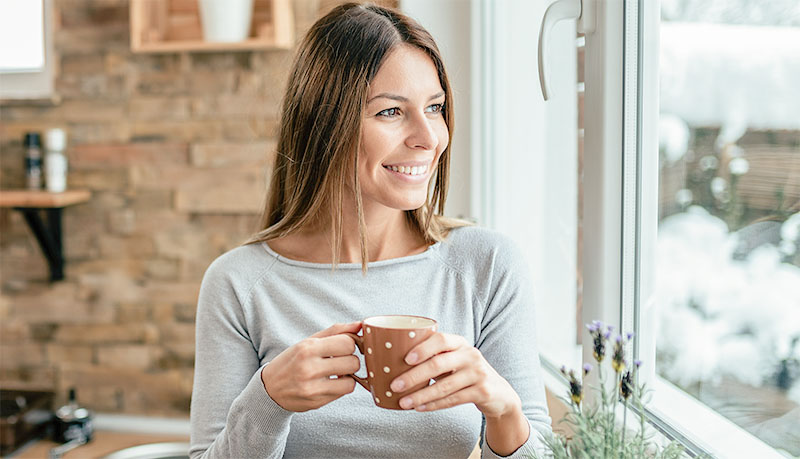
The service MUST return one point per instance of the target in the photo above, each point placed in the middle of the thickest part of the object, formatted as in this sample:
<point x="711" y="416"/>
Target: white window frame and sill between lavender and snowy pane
<point x="621" y="207"/>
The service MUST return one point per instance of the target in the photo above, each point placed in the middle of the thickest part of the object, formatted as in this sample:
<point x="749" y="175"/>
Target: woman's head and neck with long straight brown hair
<point x="317" y="200"/>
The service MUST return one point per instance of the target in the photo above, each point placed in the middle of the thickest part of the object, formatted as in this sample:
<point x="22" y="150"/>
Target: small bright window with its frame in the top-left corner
<point x="26" y="68"/>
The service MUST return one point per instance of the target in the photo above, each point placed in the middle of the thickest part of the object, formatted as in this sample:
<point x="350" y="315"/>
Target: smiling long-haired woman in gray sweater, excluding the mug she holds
<point x="352" y="229"/>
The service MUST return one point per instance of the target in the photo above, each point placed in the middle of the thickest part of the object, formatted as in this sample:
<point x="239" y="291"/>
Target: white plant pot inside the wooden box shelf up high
<point x="226" y="20"/>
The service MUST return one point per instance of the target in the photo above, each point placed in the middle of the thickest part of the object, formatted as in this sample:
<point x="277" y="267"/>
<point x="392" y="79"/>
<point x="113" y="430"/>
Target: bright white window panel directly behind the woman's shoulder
<point x="525" y="156"/>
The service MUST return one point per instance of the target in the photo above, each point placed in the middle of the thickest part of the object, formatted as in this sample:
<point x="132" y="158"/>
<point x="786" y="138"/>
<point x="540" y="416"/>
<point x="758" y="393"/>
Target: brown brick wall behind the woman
<point x="175" y="149"/>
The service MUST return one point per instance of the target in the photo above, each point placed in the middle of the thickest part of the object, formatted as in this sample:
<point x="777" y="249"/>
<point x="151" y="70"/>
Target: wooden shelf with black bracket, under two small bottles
<point x="47" y="228"/>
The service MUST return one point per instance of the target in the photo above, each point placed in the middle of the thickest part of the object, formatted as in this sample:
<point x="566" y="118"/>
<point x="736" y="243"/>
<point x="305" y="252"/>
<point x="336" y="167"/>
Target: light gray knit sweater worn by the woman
<point x="255" y="303"/>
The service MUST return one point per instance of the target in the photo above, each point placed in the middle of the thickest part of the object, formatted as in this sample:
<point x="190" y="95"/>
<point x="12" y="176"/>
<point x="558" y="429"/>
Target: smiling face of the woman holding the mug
<point x="403" y="131"/>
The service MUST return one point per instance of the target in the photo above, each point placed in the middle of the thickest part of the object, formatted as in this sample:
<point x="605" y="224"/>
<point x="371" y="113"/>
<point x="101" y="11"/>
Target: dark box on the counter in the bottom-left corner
<point x="25" y="415"/>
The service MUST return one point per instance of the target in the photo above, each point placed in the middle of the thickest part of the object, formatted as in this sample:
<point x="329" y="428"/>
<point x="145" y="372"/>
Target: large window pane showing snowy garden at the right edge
<point x="728" y="260"/>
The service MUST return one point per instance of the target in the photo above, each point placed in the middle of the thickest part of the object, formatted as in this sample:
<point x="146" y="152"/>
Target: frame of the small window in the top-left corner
<point x="34" y="85"/>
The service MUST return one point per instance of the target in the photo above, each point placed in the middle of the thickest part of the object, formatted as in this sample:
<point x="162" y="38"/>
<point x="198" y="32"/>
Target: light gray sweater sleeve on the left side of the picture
<point x="232" y="416"/>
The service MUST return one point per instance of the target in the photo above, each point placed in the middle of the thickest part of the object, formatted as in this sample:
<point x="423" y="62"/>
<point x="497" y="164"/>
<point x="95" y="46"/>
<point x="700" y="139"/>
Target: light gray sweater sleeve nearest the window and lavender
<point x="507" y="340"/>
